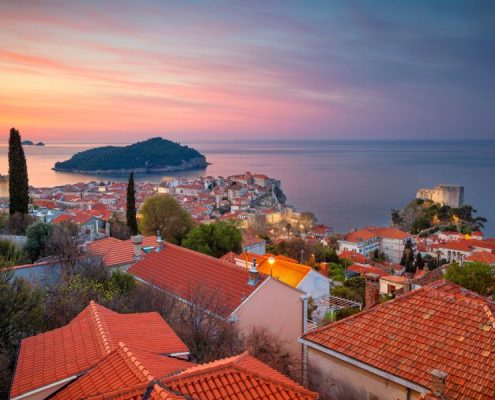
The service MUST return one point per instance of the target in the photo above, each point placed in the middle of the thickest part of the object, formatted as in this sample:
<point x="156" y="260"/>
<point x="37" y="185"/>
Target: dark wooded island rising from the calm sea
<point x="154" y="155"/>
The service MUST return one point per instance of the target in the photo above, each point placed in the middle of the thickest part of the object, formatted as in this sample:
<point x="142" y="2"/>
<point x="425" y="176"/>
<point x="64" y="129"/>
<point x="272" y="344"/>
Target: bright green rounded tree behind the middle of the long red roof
<point x="214" y="239"/>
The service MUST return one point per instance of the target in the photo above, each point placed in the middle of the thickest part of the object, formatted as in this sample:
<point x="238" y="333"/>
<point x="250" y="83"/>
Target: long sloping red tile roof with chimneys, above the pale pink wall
<point x="182" y="271"/>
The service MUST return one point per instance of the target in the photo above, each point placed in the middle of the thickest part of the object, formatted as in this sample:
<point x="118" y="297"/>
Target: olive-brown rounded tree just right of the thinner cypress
<point x="163" y="213"/>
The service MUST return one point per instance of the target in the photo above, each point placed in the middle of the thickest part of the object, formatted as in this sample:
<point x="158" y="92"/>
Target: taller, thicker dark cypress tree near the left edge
<point x="18" y="178"/>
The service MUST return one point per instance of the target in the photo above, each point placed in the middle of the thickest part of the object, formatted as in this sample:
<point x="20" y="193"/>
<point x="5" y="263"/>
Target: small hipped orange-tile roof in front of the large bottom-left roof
<point x="122" y="368"/>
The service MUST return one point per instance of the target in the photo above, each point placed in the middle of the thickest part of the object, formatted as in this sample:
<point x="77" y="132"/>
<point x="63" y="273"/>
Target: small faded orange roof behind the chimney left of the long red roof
<point x="118" y="252"/>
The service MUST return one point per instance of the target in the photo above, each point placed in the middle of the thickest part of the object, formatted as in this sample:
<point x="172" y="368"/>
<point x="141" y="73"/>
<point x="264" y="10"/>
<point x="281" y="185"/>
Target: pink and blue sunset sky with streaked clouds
<point x="118" y="71"/>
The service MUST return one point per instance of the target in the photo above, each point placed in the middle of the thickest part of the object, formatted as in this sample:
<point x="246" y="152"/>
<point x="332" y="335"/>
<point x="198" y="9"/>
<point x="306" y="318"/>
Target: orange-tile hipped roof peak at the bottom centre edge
<point x="236" y="378"/>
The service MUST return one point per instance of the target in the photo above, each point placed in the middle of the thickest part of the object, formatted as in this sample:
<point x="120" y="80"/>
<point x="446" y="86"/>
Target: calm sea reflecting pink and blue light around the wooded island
<point x="346" y="183"/>
